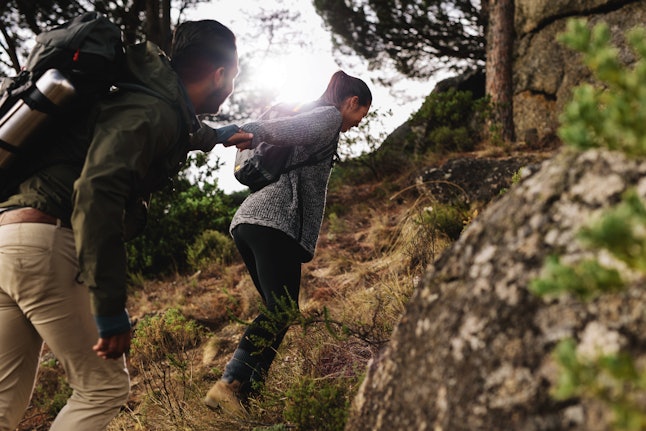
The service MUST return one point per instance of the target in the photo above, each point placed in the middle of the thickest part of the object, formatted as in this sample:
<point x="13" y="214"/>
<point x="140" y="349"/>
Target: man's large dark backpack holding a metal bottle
<point x="73" y="64"/>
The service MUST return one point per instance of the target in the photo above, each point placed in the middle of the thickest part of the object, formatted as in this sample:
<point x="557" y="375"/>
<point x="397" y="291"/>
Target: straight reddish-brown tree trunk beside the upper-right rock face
<point x="499" y="85"/>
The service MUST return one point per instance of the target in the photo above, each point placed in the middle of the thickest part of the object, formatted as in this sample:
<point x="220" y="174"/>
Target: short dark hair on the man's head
<point x="200" y="46"/>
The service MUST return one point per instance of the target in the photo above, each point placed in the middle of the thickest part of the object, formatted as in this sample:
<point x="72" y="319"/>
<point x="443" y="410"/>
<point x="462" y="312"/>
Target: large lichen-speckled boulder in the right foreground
<point x="473" y="350"/>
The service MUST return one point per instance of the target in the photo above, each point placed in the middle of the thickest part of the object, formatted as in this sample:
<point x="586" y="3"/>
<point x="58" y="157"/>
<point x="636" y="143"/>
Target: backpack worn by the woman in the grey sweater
<point x="264" y="164"/>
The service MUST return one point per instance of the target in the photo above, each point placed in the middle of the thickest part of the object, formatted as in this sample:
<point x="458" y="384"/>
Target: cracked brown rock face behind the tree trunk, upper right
<point x="545" y="71"/>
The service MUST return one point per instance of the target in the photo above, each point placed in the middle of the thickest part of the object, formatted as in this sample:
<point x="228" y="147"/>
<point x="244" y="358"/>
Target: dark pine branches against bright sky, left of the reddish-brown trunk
<point x="419" y="36"/>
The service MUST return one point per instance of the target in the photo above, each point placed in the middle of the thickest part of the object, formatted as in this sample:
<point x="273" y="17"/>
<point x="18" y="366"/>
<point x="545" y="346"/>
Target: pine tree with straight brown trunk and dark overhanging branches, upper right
<point x="424" y="36"/>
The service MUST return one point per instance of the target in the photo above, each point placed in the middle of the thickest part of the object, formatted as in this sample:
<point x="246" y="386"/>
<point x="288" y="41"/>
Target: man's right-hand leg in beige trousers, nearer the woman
<point x="59" y="308"/>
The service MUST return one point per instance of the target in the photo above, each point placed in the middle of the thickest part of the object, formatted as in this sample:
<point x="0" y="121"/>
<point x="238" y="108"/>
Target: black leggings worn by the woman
<point x="274" y="263"/>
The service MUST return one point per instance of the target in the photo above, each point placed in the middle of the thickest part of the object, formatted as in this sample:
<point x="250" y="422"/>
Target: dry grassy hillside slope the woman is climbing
<point x="376" y="242"/>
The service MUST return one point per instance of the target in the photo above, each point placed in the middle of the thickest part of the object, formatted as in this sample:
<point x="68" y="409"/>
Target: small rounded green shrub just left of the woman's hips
<point x="210" y="248"/>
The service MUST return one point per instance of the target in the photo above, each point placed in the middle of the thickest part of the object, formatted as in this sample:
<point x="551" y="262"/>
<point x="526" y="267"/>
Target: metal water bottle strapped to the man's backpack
<point x="25" y="118"/>
